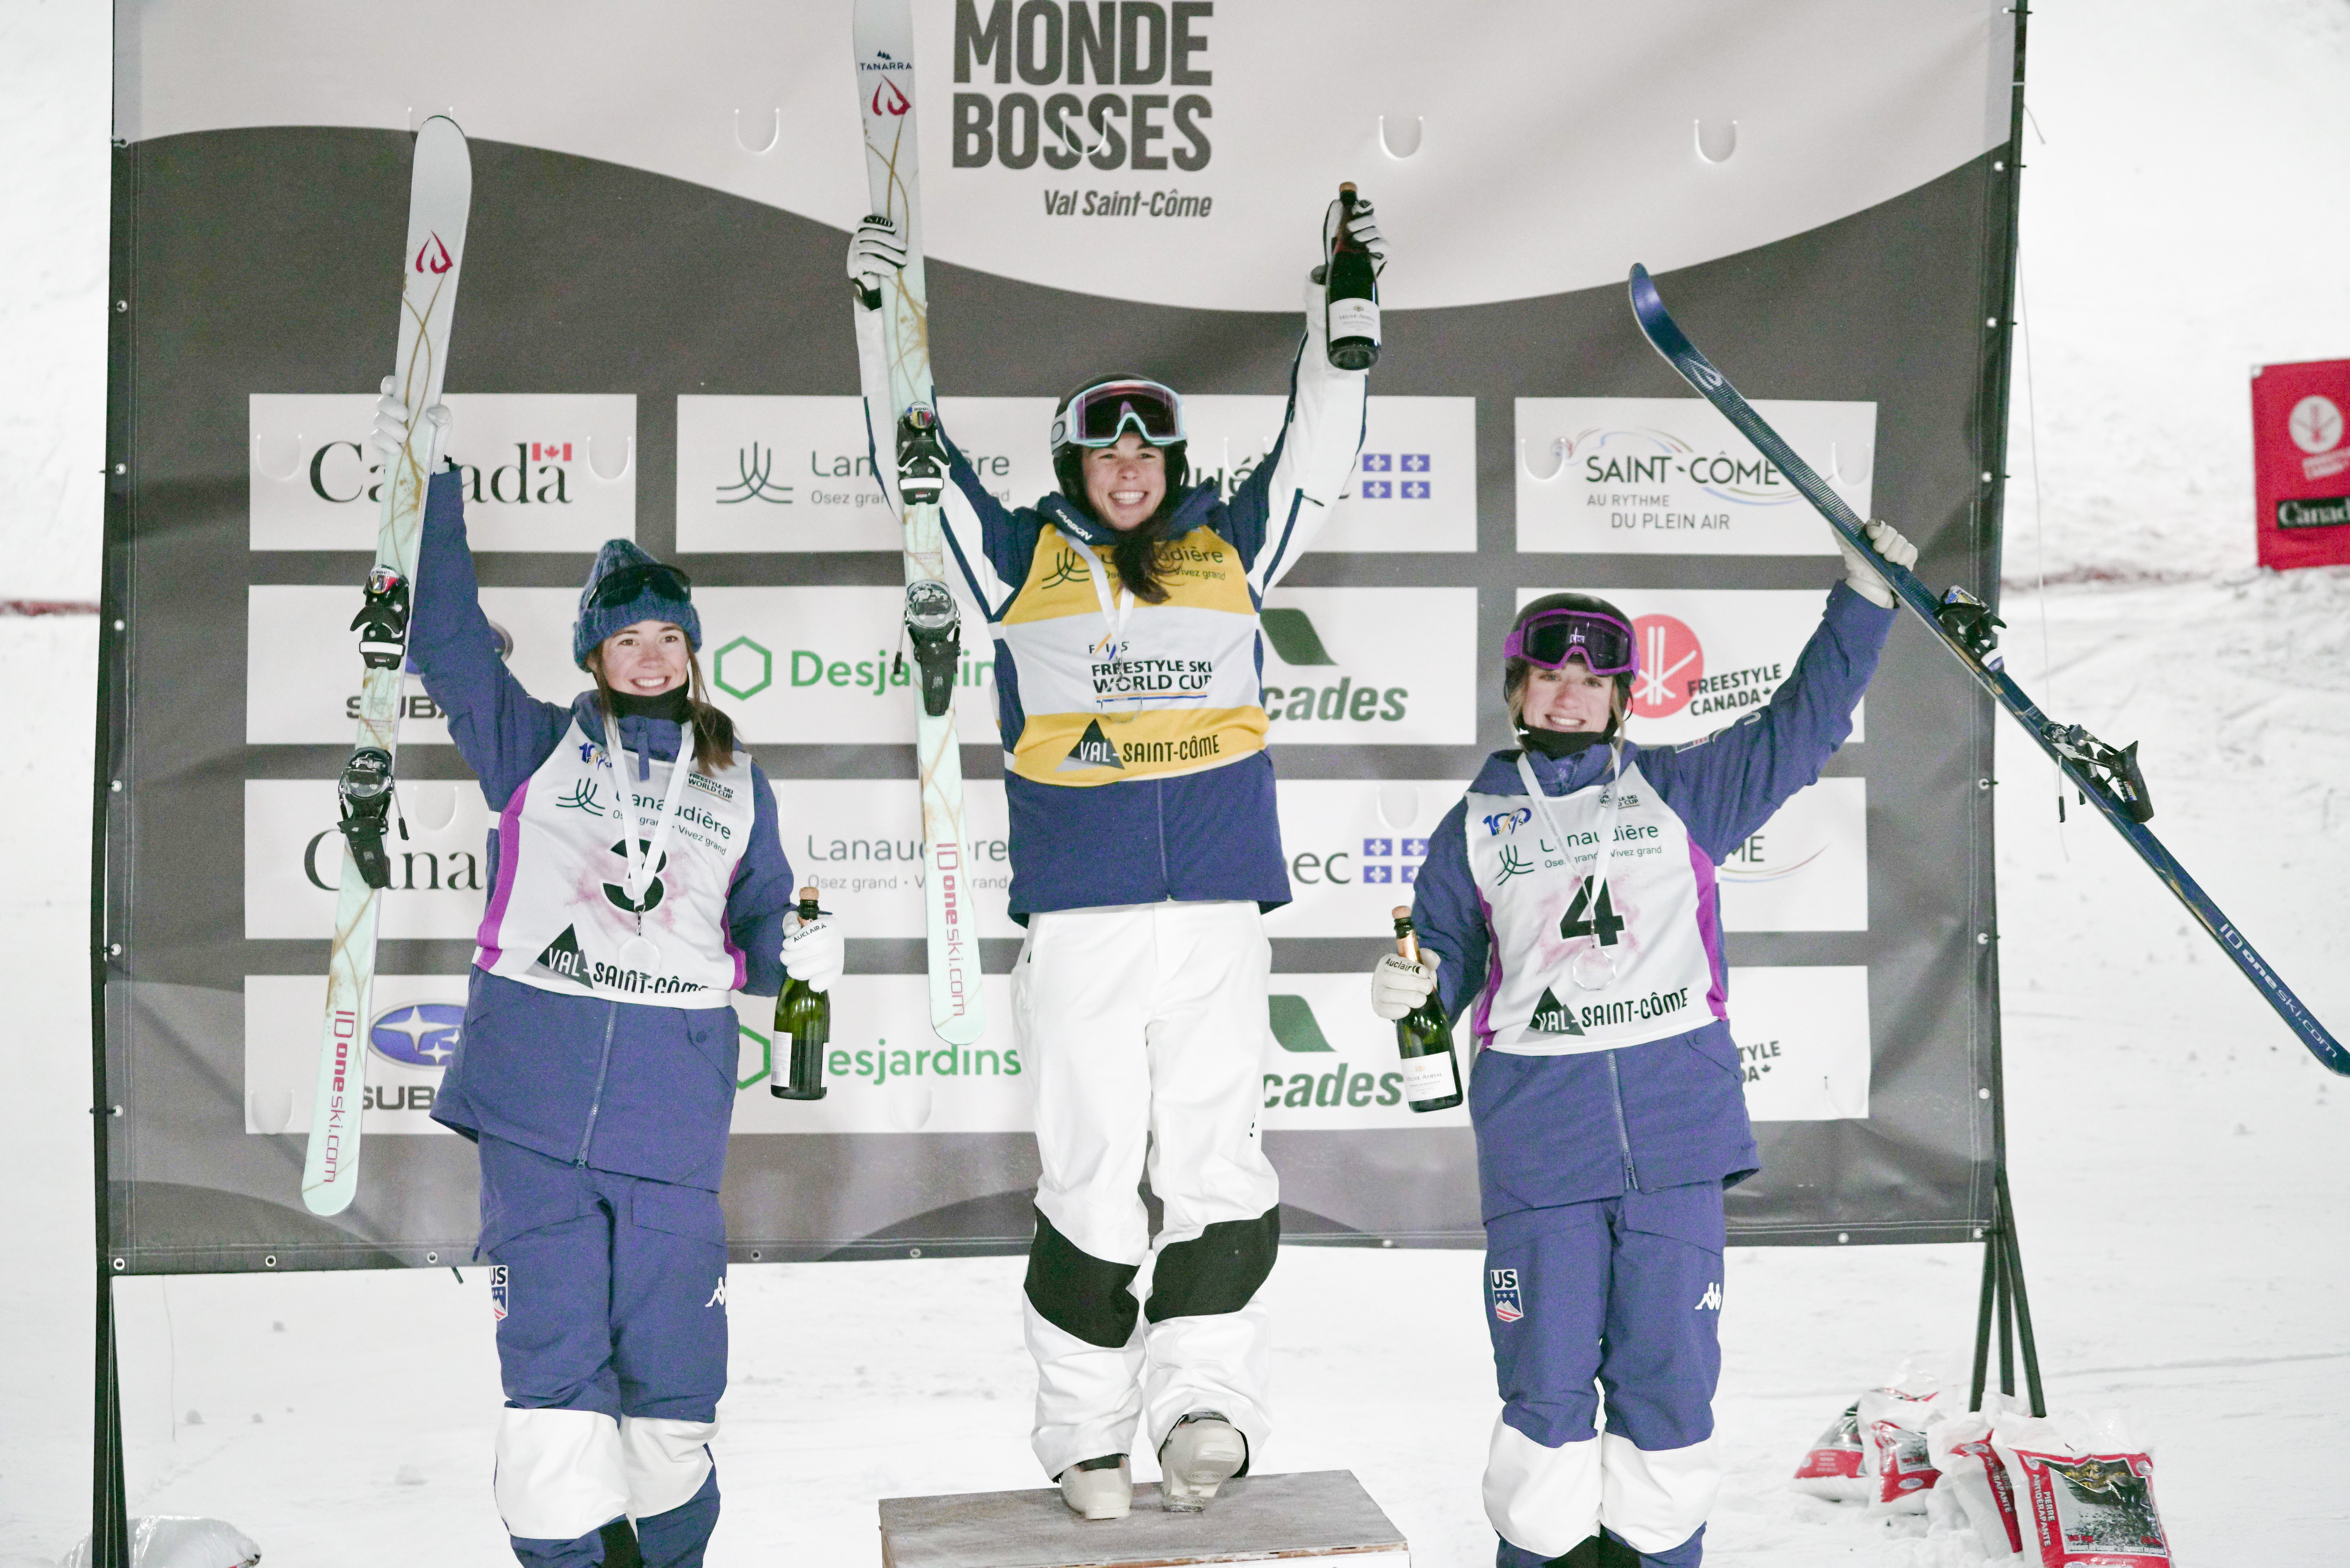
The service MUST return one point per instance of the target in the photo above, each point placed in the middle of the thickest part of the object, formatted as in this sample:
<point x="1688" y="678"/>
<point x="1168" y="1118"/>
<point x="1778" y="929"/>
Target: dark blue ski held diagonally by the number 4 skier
<point x="1966" y="626"/>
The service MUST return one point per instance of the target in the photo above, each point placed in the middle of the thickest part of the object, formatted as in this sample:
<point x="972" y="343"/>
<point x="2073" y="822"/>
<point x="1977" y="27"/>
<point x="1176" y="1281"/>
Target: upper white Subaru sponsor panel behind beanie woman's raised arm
<point x="302" y="666"/>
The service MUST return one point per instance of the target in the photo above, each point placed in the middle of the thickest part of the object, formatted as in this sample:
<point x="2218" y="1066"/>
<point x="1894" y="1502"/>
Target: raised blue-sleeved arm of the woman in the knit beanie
<point x="499" y="728"/>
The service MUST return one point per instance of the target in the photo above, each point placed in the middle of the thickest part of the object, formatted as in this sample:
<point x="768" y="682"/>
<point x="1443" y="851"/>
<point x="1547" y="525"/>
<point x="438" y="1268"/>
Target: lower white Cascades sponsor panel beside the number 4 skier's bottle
<point x="1331" y="1064"/>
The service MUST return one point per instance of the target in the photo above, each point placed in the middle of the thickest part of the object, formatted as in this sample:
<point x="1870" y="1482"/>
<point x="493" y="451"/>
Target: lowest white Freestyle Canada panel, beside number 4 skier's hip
<point x="1804" y="1038"/>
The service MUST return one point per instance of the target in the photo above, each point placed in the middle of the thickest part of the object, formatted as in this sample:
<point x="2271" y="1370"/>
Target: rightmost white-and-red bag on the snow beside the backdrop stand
<point x="2086" y="1494"/>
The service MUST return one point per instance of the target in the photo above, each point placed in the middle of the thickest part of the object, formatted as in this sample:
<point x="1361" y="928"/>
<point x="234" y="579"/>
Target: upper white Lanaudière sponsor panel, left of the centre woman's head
<point x="795" y="474"/>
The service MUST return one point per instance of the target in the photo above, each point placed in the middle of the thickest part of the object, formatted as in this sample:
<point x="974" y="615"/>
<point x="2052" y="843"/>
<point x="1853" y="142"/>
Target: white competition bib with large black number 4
<point x="1649" y="923"/>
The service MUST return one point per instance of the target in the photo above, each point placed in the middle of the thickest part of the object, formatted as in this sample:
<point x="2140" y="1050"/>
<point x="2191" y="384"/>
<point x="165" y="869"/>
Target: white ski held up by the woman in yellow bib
<point x="885" y="46"/>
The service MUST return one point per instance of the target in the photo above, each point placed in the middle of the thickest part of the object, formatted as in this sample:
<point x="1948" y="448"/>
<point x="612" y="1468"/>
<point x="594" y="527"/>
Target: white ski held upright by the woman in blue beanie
<point x="441" y="199"/>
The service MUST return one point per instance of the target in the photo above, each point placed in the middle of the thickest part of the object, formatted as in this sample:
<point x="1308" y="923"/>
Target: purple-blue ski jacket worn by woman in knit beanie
<point x="605" y="1085"/>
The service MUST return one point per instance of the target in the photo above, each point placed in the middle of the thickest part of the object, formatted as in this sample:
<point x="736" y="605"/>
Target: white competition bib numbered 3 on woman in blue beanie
<point x="563" y="918"/>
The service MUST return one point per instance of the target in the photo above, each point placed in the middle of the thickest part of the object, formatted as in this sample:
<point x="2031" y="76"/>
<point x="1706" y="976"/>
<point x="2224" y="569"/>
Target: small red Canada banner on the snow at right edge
<point x="2302" y="462"/>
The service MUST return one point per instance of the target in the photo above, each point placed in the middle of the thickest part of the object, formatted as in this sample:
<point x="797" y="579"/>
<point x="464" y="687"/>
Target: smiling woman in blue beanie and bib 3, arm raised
<point x="638" y="880"/>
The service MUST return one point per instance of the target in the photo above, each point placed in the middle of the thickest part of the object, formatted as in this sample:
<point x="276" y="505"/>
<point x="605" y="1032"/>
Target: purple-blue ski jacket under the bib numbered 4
<point x="1667" y="1113"/>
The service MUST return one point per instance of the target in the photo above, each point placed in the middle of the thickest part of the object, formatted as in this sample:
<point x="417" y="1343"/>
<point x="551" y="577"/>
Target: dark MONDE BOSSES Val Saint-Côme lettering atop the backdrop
<point x="1108" y="48"/>
